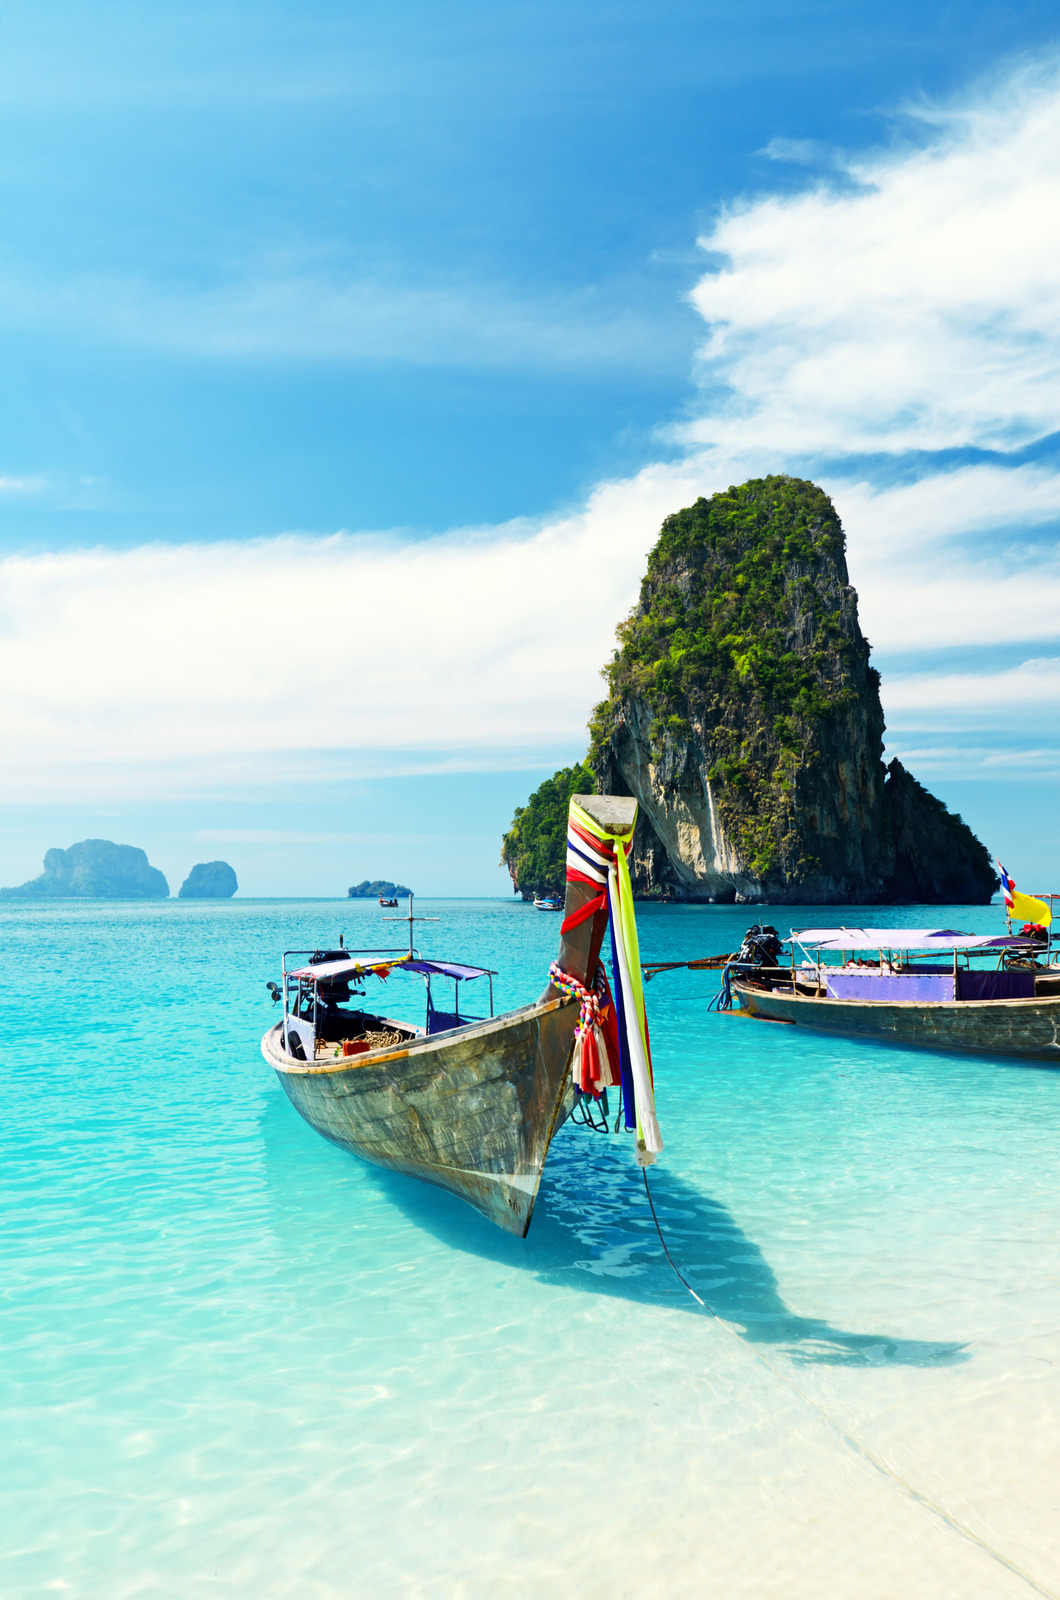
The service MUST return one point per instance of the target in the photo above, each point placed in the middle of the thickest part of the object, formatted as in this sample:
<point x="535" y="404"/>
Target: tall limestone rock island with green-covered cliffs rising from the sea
<point x="745" y="719"/>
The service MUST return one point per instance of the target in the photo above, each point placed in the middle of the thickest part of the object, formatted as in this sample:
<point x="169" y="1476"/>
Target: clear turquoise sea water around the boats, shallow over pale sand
<point x="239" y="1362"/>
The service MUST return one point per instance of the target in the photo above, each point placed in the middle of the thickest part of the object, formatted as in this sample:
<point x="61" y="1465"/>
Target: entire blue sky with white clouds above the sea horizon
<point x="335" y="340"/>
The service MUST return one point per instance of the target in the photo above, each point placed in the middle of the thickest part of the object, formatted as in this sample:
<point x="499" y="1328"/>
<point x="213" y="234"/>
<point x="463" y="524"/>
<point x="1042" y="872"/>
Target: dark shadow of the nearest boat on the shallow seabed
<point x="593" y="1231"/>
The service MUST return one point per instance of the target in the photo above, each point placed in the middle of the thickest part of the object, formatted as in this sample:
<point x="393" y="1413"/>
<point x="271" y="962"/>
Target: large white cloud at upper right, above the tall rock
<point x="918" y="313"/>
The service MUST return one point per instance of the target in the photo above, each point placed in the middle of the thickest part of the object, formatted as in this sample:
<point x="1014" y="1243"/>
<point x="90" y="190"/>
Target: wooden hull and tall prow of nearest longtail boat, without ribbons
<point x="473" y="1108"/>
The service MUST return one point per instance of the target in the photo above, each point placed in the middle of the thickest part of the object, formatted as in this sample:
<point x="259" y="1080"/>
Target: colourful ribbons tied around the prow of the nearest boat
<point x="600" y="860"/>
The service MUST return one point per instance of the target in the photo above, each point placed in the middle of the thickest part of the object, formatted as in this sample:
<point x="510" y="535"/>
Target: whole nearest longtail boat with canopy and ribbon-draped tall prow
<point x="473" y="1103"/>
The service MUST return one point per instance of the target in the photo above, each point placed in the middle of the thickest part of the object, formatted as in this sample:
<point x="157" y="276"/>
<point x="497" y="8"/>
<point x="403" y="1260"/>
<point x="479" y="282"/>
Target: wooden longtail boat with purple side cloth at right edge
<point x="1010" y="1012"/>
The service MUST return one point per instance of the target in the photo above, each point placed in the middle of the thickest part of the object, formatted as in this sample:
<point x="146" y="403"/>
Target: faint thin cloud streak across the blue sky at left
<point x="313" y="314"/>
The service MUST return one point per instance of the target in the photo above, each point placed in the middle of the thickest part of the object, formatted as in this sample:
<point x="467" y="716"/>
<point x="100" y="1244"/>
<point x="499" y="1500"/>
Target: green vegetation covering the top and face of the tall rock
<point x="745" y="628"/>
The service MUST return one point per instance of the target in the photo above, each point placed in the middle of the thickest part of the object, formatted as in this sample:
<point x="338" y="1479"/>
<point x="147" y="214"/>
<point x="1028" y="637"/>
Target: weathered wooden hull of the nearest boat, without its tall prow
<point x="473" y="1111"/>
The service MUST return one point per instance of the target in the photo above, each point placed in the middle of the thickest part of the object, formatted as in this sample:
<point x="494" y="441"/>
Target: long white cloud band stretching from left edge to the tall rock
<point x="148" y="670"/>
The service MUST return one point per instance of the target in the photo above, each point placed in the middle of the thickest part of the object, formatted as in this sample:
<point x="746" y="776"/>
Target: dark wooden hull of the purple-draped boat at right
<point x="987" y="1028"/>
